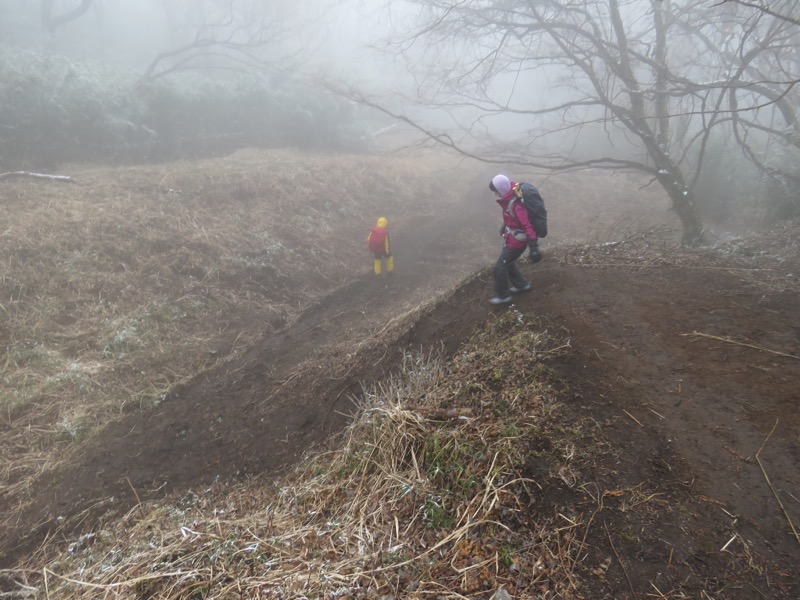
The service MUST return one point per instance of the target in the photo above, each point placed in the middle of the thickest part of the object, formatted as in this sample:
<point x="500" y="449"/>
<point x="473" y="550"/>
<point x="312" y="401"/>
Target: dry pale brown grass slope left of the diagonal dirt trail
<point x="126" y="282"/>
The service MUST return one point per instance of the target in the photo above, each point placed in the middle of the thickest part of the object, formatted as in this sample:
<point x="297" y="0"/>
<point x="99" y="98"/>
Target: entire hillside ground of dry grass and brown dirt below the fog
<point x="186" y="347"/>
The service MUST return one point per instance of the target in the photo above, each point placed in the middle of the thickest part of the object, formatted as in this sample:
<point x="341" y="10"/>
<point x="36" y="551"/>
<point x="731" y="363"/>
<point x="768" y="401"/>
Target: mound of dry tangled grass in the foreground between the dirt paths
<point x="408" y="505"/>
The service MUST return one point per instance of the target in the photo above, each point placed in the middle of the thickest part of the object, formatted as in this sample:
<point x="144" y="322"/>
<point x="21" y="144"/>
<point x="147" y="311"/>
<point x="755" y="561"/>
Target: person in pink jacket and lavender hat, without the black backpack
<point x="518" y="234"/>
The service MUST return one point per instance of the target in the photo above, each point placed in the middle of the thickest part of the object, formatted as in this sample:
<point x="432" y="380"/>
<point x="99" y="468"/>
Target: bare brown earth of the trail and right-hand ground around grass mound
<point x="688" y="364"/>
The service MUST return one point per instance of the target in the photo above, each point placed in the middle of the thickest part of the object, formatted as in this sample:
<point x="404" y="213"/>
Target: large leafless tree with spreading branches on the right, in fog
<point x="616" y="84"/>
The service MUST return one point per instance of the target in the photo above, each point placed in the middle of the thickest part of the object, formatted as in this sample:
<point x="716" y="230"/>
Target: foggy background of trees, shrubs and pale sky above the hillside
<point x="700" y="97"/>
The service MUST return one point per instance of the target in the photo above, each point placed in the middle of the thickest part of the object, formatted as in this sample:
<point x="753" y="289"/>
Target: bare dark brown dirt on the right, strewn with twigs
<point x="661" y="363"/>
